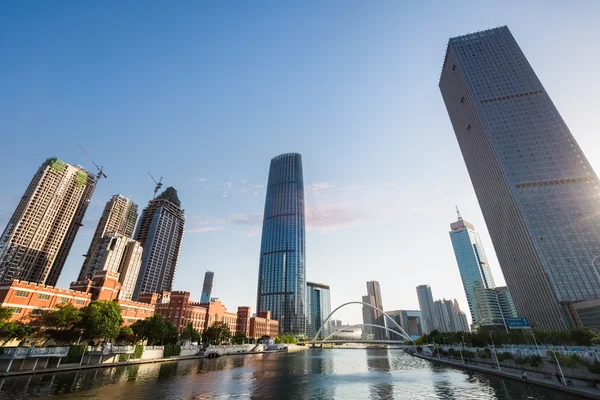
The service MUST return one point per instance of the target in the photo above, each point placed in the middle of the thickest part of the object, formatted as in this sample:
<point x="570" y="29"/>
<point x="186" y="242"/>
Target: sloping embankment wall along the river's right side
<point x="533" y="378"/>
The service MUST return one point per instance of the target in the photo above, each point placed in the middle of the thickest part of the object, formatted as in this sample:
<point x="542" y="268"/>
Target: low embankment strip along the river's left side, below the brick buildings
<point x="77" y="367"/>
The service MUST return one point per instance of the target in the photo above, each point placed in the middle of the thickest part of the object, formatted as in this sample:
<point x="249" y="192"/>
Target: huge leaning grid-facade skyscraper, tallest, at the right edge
<point x="537" y="191"/>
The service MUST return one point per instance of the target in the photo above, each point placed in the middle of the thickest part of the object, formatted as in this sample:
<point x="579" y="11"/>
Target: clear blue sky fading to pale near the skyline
<point x="204" y="94"/>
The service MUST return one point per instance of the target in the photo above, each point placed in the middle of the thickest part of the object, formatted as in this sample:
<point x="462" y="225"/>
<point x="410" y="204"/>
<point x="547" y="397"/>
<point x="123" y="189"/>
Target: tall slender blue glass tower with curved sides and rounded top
<point x="281" y="274"/>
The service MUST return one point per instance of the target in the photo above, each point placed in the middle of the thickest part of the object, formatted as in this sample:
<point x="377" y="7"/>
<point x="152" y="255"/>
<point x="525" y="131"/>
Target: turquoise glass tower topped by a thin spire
<point x="472" y="263"/>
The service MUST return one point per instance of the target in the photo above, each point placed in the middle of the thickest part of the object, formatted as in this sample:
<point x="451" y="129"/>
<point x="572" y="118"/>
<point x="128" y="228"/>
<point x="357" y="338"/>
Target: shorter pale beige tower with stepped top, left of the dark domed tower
<point x="118" y="253"/>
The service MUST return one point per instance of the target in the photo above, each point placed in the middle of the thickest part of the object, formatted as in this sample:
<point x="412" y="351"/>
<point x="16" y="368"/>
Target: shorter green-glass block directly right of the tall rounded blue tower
<point x="318" y="307"/>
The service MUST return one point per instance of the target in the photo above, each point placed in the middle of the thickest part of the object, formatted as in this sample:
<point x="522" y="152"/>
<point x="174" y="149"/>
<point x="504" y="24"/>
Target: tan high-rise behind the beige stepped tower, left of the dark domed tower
<point x="119" y="216"/>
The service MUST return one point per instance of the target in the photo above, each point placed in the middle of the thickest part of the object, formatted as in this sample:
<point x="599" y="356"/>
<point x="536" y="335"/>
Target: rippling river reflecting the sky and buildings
<point x="310" y="374"/>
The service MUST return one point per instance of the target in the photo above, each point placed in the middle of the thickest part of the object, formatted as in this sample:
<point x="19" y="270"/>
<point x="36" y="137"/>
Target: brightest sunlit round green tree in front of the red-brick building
<point x="102" y="319"/>
